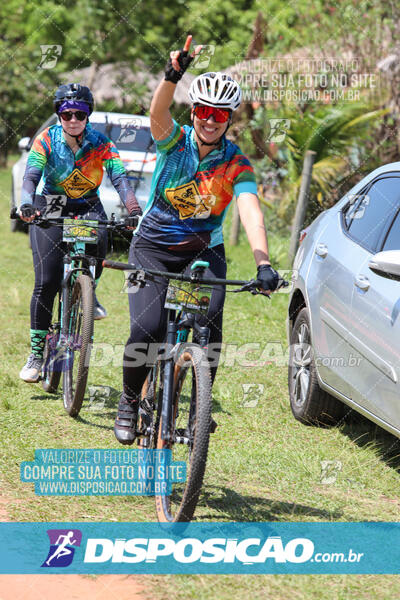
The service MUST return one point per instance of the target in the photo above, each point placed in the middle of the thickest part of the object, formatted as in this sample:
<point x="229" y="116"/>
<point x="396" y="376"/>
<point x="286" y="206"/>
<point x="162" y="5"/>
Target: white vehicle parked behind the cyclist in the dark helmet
<point x="131" y="135"/>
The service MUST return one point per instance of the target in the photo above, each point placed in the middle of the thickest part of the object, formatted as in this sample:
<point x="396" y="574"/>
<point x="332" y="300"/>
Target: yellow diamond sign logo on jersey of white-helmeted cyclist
<point x="188" y="201"/>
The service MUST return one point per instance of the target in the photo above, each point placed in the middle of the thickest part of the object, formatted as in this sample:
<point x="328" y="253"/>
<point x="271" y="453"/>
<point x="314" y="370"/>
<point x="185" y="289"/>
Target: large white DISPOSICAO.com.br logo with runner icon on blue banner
<point x="196" y="550"/>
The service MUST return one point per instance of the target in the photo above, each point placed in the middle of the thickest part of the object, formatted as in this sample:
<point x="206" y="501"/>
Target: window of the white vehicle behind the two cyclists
<point x="127" y="135"/>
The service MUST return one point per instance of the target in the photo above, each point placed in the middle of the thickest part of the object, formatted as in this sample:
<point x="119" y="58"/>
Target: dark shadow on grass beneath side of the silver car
<point x="365" y="433"/>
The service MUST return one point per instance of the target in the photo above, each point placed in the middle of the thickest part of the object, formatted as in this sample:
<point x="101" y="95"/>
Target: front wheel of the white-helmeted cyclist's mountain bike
<point x="191" y="421"/>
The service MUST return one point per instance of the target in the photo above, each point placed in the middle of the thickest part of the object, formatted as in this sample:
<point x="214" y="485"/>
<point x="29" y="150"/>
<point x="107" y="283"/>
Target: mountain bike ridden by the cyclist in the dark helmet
<point x="70" y="337"/>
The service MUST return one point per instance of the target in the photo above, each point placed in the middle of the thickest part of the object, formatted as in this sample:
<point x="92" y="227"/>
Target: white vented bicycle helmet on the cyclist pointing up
<point x="216" y="89"/>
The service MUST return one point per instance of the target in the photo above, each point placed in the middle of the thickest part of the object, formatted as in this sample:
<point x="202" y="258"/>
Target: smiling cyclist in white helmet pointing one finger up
<point x="198" y="172"/>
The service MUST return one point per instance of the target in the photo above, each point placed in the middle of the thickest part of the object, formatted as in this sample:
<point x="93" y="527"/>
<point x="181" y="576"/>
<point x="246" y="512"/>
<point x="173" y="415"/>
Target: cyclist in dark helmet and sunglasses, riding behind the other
<point x="62" y="178"/>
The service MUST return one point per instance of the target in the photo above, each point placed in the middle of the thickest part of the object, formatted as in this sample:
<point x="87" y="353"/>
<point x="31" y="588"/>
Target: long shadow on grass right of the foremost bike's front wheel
<point x="240" y="507"/>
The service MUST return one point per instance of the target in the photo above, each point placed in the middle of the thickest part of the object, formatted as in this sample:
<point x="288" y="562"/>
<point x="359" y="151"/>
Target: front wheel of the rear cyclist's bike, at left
<point x="78" y="318"/>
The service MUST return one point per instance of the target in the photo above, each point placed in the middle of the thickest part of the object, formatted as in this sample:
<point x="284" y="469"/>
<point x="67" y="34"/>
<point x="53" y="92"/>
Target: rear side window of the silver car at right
<point x="369" y="213"/>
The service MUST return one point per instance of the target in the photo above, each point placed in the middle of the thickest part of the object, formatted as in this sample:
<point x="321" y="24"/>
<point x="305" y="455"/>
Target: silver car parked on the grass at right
<point x="344" y="309"/>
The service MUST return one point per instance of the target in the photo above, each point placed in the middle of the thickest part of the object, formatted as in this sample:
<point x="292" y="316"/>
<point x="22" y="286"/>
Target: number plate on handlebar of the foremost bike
<point x="189" y="296"/>
